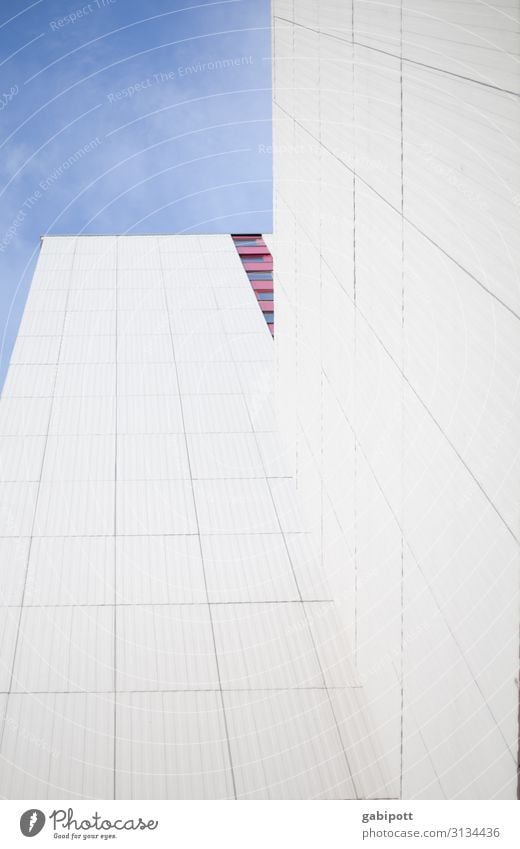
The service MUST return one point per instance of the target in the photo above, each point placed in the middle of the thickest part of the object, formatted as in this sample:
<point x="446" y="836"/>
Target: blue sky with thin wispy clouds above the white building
<point x="120" y="116"/>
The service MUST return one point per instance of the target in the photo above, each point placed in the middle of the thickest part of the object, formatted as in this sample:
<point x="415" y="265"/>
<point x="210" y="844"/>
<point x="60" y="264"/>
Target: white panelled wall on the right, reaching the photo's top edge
<point x="397" y="195"/>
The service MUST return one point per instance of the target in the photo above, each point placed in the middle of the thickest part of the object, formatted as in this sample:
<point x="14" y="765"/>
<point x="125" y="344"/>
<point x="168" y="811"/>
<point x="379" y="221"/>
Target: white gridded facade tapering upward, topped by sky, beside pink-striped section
<point x="165" y="629"/>
